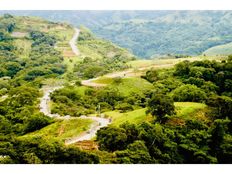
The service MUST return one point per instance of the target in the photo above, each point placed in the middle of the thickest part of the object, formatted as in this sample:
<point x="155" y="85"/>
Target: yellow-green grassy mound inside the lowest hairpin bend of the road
<point x="63" y="129"/>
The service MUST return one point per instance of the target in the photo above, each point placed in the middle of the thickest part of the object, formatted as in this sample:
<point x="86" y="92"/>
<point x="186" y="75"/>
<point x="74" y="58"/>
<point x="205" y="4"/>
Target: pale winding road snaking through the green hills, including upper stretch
<point x="44" y="106"/>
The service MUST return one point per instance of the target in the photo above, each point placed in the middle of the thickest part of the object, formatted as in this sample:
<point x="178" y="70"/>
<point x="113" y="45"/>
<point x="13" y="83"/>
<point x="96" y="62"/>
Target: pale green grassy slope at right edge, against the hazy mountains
<point x="225" y="49"/>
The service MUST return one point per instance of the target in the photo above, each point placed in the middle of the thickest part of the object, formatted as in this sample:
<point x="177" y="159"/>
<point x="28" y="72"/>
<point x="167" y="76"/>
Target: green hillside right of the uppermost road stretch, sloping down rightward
<point x="99" y="56"/>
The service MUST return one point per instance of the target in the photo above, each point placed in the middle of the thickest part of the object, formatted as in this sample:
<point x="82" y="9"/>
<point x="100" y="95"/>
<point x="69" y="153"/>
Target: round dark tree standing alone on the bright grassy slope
<point x="161" y="105"/>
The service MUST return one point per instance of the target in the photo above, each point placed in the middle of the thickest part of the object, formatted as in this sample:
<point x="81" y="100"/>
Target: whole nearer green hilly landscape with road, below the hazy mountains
<point x="68" y="96"/>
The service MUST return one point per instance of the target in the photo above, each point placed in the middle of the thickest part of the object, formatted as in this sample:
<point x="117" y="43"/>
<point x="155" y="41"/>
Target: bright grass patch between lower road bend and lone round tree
<point x="136" y="116"/>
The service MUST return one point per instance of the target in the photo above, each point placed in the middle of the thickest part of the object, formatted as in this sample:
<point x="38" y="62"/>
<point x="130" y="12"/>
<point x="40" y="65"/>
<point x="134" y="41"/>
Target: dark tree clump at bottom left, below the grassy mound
<point x="34" y="149"/>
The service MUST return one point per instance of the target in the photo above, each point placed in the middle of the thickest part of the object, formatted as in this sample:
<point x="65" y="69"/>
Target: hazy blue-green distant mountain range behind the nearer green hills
<point x="152" y="33"/>
